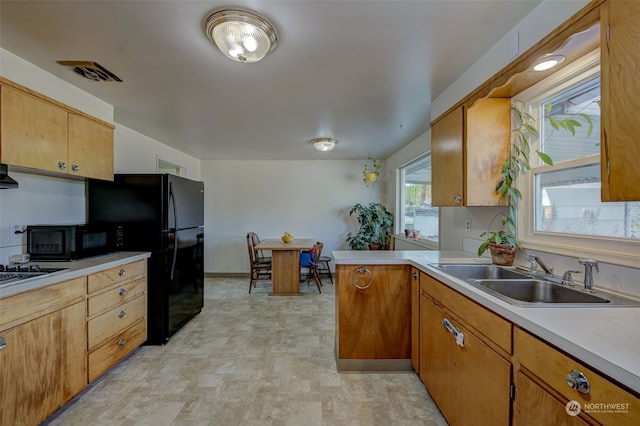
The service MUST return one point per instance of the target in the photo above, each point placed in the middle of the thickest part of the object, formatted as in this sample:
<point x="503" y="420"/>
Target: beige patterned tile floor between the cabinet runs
<point x="250" y="359"/>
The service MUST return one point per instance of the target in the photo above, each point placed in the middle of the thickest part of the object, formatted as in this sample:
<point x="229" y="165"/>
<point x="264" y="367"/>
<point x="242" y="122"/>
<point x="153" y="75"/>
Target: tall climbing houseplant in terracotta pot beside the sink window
<point x="503" y="244"/>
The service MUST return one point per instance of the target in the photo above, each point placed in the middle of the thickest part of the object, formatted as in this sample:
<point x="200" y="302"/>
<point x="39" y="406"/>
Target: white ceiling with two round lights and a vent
<point x="363" y="72"/>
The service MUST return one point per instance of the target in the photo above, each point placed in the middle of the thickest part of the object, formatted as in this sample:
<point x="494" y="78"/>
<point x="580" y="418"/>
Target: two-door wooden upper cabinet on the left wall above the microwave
<point x="41" y="134"/>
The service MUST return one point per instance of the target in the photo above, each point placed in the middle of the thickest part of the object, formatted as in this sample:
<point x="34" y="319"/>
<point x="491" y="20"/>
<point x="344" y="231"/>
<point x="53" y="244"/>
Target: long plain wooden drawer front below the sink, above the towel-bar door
<point x="483" y="321"/>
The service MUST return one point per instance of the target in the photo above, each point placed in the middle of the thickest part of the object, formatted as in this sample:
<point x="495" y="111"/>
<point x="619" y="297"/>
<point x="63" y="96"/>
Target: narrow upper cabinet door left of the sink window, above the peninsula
<point x="447" y="159"/>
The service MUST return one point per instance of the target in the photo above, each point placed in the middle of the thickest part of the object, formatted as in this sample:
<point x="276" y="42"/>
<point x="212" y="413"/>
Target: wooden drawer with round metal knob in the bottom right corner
<point x="552" y="367"/>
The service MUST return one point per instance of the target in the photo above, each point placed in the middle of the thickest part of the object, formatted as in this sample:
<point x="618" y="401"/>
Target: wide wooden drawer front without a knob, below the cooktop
<point x="18" y="309"/>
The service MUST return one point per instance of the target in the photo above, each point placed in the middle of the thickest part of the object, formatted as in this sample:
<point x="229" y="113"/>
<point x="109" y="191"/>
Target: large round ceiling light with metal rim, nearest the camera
<point x="241" y="35"/>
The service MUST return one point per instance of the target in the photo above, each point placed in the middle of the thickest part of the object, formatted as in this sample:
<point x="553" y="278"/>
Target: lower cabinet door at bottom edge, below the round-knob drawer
<point x="533" y="404"/>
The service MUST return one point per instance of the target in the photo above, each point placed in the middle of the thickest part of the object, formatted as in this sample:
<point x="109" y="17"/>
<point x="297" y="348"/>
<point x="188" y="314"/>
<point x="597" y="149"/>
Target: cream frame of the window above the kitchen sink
<point x="612" y="250"/>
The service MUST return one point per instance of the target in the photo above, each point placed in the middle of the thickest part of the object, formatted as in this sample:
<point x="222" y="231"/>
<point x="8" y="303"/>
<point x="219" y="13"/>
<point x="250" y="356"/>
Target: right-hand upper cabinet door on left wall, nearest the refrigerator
<point x="90" y="148"/>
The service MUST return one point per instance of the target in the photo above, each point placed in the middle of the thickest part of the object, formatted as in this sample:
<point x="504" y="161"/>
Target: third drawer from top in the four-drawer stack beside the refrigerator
<point x="112" y="322"/>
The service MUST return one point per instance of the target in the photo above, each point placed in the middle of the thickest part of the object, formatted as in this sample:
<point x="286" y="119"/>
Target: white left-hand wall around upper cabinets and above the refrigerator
<point x="44" y="199"/>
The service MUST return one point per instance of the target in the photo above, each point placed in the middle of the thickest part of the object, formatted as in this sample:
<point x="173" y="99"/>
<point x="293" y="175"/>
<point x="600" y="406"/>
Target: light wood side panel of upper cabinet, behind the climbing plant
<point x="487" y="147"/>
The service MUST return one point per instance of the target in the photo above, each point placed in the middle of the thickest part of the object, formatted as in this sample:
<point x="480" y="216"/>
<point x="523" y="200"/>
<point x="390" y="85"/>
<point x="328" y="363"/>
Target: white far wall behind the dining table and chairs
<point x="310" y="199"/>
